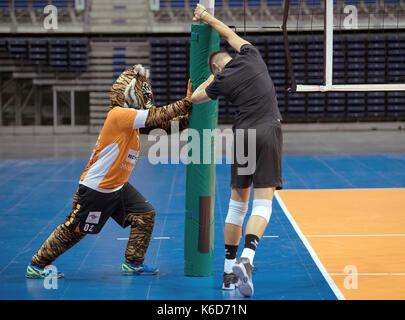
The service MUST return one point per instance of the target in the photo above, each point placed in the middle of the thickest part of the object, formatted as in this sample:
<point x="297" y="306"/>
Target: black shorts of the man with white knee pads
<point x="263" y="167"/>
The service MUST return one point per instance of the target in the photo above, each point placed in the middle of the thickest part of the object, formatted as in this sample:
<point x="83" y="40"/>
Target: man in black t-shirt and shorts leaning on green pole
<point x="245" y="82"/>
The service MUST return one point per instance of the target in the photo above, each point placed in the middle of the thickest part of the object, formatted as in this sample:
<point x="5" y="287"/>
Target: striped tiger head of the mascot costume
<point x="132" y="89"/>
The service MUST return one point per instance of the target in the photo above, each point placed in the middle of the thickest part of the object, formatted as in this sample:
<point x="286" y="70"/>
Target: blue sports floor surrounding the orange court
<point x="36" y="196"/>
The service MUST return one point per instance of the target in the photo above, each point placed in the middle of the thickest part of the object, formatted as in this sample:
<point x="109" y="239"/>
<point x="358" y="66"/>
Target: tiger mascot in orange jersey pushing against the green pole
<point x="104" y="190"/>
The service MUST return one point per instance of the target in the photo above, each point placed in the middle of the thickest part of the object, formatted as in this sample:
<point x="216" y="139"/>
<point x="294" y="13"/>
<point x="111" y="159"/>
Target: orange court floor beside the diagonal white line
<point x="358" y="236"/>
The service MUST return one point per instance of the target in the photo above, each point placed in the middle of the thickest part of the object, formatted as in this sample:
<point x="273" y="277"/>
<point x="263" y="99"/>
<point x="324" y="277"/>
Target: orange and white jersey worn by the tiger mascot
<point x="116" y="150"/>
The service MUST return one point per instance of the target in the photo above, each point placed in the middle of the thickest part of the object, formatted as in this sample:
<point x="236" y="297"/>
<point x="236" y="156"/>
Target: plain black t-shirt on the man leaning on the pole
<point x="246" y="84"/>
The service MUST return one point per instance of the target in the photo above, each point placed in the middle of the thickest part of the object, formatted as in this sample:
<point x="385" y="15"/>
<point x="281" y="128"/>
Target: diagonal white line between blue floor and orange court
<point x="311" y="251"/>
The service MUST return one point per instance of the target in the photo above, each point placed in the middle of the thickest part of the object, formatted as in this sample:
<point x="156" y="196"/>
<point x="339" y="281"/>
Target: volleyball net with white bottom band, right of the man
<point x="371" y="59"/>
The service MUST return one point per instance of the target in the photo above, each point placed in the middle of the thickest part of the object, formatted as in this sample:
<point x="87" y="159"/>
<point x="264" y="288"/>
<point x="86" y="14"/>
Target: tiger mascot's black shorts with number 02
<point x="91" y="209"/>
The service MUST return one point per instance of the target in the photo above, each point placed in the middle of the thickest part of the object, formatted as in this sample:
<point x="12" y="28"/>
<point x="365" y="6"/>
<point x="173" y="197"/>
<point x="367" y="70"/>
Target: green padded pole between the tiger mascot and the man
<point x="200" y="180"/>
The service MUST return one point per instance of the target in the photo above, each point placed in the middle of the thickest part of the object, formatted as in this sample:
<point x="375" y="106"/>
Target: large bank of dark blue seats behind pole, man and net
<point x="369" y="58"/>
